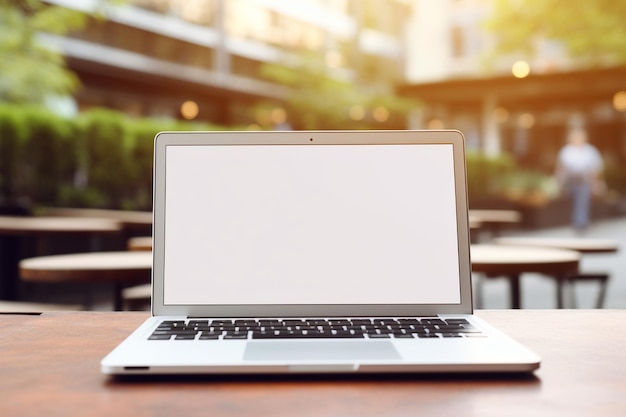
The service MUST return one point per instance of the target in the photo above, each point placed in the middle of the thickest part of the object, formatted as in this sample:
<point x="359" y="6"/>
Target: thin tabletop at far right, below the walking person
<point x="579" y="244"/>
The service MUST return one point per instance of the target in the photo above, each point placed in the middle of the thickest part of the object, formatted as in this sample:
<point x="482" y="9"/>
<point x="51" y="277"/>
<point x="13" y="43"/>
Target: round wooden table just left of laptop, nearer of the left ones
<point x="119" y="268"/>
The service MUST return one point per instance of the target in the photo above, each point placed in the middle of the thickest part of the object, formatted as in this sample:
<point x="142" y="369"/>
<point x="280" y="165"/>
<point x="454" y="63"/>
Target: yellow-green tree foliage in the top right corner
<point x="591" y="32"/>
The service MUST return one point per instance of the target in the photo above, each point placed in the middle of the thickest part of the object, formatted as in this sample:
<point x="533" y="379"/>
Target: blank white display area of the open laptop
<point x="324" y="224"/>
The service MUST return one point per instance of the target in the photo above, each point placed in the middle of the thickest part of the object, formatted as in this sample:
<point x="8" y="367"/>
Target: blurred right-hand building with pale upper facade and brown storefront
<point x="521" y="107"/>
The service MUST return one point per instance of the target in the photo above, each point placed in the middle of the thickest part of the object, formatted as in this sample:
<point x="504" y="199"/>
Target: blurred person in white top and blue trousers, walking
<point x="579" y="171"/>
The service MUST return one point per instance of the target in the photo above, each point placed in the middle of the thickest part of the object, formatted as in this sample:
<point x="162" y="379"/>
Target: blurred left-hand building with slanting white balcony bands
<point x="200" y="59"/>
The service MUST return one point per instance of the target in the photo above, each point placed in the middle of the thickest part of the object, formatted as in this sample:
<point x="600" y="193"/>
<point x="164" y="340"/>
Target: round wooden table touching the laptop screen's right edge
<point x="512" y="261"/>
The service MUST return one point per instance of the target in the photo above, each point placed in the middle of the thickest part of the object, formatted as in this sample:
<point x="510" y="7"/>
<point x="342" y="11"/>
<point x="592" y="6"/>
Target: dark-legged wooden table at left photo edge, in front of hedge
<point x="14" y="228"/>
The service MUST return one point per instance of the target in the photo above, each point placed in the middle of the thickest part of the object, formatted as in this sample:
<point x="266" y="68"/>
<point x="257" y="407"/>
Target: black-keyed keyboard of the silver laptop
<point x="356" y="328"/>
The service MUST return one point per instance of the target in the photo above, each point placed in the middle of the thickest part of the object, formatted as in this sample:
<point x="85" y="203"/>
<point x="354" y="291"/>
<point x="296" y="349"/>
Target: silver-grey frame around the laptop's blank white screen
<point x="309" y="138"/>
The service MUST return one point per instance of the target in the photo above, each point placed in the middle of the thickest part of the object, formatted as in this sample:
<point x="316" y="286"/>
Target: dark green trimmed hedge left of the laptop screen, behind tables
<point x="99" y="159"/>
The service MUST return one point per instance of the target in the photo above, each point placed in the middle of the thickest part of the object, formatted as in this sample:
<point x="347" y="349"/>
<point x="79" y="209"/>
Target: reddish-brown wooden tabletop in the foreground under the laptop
<point x="49" y="366"/>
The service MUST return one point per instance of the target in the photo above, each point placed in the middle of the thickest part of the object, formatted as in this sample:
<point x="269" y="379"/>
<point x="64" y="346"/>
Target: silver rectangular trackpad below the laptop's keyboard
<point x="320" y="350"/>
